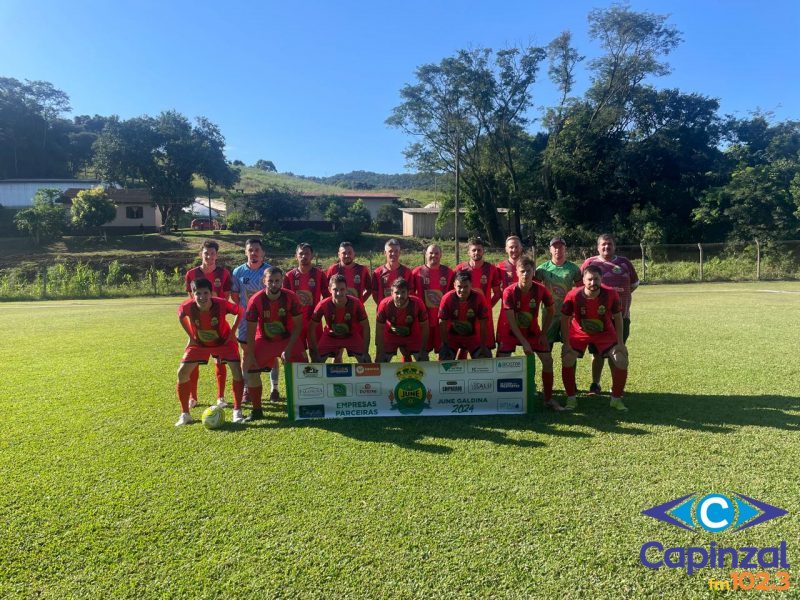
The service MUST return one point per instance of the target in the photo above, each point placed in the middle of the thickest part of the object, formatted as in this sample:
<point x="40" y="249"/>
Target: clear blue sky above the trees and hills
<point x="309" y="85"/>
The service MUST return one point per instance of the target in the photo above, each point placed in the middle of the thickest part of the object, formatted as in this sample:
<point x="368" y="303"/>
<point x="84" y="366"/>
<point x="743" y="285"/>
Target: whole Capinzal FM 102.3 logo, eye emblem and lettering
<point x="710" y="514"/>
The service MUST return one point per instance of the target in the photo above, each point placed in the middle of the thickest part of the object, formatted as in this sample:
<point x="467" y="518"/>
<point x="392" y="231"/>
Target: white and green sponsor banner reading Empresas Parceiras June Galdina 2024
<point x="457" y="387"/>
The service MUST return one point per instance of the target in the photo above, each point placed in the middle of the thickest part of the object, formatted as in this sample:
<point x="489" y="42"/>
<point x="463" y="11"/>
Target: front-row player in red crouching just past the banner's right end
<point x="521" y="306"/>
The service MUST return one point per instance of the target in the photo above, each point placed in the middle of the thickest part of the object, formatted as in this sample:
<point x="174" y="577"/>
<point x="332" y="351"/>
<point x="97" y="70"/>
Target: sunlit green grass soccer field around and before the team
<point x="102" y="497"/>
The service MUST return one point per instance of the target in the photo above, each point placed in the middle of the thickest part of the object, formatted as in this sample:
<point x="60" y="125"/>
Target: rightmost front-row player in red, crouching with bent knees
<point x="591" y="317"/>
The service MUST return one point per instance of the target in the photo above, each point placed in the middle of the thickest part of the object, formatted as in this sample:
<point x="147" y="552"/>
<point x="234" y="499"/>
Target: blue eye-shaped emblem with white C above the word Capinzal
<point x="714" y="512"/>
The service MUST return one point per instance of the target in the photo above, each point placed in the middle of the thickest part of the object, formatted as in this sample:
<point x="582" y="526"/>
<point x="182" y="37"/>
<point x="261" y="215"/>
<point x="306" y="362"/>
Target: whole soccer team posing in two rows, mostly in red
<point x="280" y="315"/>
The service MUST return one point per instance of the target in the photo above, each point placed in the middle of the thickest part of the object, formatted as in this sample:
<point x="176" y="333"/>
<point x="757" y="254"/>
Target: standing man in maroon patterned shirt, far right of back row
<point x="620" y="275"/>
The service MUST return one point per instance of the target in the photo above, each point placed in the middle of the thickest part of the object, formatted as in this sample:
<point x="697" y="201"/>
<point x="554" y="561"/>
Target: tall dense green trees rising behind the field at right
<point x="650" y="164"/>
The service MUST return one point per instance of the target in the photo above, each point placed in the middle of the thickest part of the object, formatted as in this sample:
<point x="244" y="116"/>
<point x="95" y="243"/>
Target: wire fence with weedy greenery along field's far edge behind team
<point x="162" y="274"/>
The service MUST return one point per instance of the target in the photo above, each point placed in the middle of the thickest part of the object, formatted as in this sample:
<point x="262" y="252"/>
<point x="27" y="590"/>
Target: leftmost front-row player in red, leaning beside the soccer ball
<point x="203" y="320"/>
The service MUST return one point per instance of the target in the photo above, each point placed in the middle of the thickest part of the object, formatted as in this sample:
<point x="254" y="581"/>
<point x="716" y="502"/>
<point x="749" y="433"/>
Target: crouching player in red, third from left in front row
<point x="346" y="325"/>
